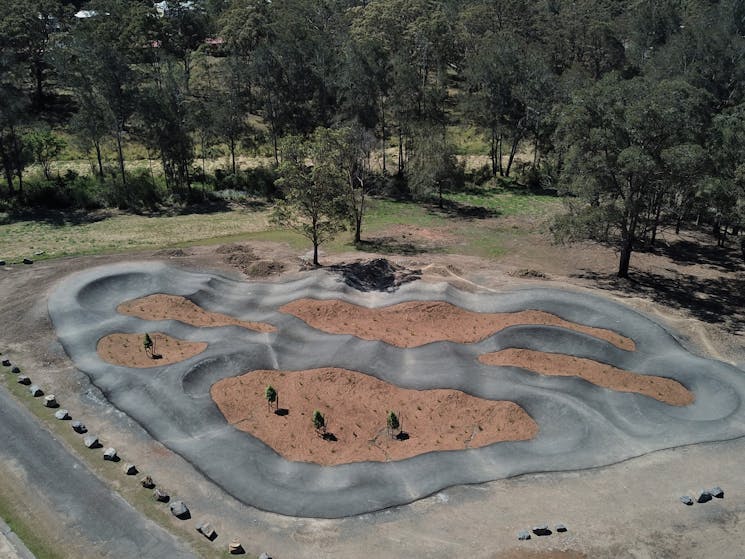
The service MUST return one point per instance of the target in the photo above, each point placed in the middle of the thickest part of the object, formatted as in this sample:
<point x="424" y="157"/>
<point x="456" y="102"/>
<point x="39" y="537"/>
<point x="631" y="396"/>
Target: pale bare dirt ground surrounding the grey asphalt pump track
<point x="627" y="511"/>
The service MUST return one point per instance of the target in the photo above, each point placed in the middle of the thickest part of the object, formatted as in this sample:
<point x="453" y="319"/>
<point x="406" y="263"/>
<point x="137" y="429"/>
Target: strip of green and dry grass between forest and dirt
<point x="57" y="235"/>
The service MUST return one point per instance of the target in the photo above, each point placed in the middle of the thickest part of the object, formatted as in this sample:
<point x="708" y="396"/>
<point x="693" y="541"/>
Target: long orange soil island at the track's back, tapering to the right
<point x="417" y="323"/>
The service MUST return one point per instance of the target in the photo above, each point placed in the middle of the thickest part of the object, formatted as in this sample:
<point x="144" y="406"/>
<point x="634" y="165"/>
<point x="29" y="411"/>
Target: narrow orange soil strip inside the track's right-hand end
<point x="663" y="389"/>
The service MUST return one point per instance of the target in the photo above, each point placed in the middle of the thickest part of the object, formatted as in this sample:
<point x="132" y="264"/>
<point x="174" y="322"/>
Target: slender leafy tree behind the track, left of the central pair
<point x="313" y="203"/>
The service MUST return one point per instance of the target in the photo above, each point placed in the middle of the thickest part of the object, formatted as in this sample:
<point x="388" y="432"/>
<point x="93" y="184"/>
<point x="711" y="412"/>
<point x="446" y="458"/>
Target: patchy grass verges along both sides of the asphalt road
<point x="126" y="486"/>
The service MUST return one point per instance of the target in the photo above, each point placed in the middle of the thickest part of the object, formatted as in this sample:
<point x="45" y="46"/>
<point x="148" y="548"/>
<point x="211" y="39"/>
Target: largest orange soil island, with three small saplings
<point x="355" y="407"/>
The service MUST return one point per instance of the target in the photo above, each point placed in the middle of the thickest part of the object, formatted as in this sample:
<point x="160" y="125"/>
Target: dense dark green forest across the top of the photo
<point x="632" y="110"/>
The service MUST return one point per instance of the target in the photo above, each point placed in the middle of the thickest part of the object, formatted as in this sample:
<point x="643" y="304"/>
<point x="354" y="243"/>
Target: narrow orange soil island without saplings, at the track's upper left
<point x="173" y="307"/>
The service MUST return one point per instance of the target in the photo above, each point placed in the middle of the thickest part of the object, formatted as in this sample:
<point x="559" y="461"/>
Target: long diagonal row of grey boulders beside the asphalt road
<point x="177" y="507"/>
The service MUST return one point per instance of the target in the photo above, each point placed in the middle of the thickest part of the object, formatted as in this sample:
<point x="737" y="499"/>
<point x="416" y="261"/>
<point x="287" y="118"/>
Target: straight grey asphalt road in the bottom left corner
<point x="84" y="503"/>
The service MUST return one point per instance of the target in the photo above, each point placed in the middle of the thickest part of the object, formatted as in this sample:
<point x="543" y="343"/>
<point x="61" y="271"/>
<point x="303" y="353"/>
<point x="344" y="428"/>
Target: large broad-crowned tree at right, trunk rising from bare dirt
<point x="613" y="136"/>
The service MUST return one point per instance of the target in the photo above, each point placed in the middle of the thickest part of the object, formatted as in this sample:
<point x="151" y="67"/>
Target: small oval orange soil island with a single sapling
<point x="128" y="350"/>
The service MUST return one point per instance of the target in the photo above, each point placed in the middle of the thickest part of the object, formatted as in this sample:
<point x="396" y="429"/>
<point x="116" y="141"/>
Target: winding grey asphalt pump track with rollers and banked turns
<point x="581" y="425"/>
